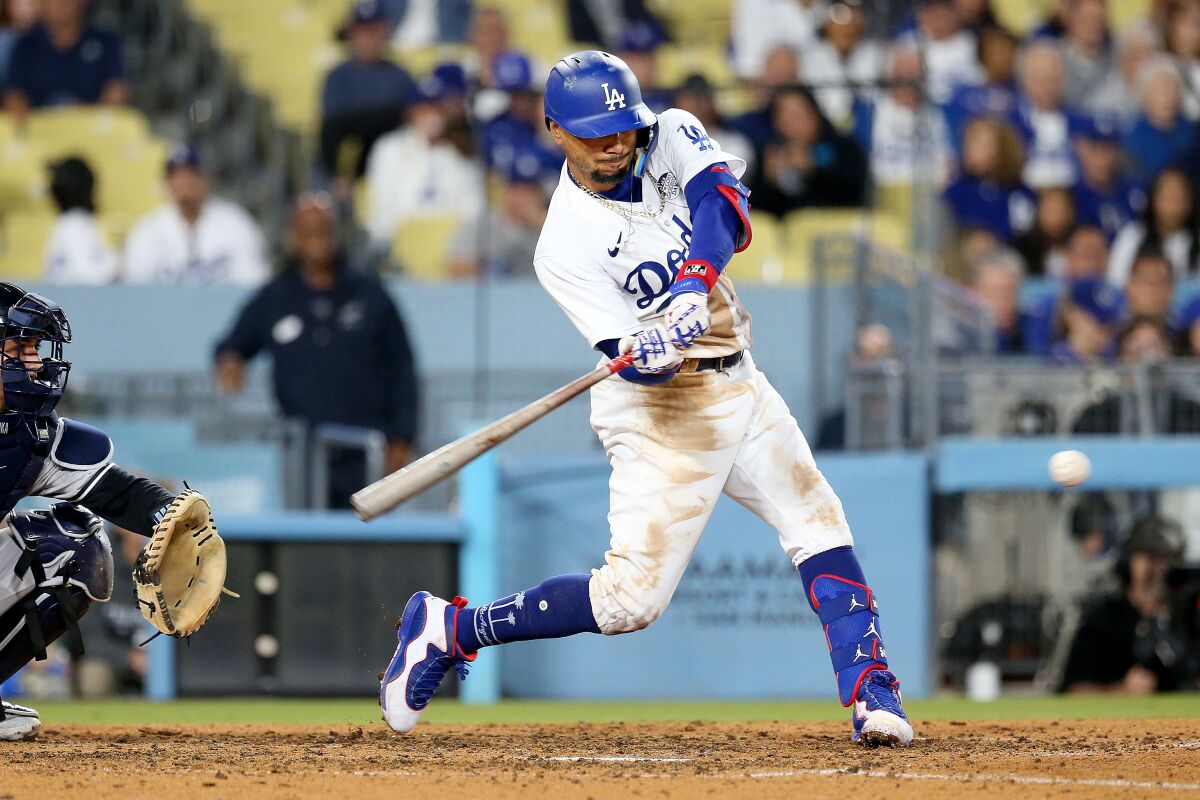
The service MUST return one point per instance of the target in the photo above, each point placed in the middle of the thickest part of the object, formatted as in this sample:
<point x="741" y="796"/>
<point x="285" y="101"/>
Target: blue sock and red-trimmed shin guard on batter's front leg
<point x="838" y="593"/>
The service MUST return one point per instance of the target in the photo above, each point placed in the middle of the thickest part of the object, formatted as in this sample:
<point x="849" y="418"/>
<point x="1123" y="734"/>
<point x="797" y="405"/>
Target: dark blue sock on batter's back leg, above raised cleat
<point x="554" y="609"/>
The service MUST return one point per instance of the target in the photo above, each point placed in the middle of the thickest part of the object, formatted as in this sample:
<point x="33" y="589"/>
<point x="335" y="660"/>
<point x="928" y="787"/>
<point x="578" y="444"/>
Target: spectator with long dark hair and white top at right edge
<point x="1168" y="225"/>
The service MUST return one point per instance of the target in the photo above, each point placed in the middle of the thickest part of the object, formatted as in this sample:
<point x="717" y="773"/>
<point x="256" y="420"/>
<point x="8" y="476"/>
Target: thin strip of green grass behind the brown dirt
<point x="363" y="712"/>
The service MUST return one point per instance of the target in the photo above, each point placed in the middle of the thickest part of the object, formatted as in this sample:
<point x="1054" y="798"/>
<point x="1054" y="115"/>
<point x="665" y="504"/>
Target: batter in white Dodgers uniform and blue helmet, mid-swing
<point x="647" y="214"/>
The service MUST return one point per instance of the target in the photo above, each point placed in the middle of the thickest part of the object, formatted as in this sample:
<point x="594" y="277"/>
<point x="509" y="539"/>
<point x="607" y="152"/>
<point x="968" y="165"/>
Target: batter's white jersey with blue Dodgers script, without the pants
<point x="610" y="273"/>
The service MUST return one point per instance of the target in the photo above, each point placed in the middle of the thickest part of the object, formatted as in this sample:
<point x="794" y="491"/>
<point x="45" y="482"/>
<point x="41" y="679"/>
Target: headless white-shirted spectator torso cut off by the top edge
<point x="759" y="27"/>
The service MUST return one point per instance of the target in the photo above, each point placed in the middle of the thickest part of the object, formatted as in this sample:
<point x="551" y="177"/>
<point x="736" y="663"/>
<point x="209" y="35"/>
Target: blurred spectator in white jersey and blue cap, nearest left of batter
<point x="421" y="170"/>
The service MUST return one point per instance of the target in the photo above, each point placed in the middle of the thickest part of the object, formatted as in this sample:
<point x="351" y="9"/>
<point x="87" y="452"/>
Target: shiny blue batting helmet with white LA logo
<point x="595" y="94"/>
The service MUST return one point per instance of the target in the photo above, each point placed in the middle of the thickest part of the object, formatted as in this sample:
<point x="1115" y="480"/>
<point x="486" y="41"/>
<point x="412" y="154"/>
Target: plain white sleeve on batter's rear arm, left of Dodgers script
<point x="591" y="300"/>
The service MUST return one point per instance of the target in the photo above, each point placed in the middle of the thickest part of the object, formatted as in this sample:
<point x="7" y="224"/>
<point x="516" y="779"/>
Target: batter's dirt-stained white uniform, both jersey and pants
<point x="675" y="448"/>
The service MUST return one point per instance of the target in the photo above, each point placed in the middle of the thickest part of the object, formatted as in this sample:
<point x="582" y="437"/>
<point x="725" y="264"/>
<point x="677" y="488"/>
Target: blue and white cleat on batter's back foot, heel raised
<point x="425" y="652"/>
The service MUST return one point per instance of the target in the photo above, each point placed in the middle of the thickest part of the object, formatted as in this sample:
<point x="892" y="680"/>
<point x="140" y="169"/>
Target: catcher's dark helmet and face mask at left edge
<point x="27" y="317"/>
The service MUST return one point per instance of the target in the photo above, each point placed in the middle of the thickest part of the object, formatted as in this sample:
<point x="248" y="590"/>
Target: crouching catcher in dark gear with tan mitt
<point x="56" y="563"/>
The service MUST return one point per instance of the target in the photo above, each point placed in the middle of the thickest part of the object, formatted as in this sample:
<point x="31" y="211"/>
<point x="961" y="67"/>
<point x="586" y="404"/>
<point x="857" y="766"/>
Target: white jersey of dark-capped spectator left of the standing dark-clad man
<point x="224" y="246"/>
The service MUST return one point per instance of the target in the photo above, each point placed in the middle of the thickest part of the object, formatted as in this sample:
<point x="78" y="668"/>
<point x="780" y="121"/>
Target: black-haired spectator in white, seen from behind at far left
<point x="77" y="251"/>
